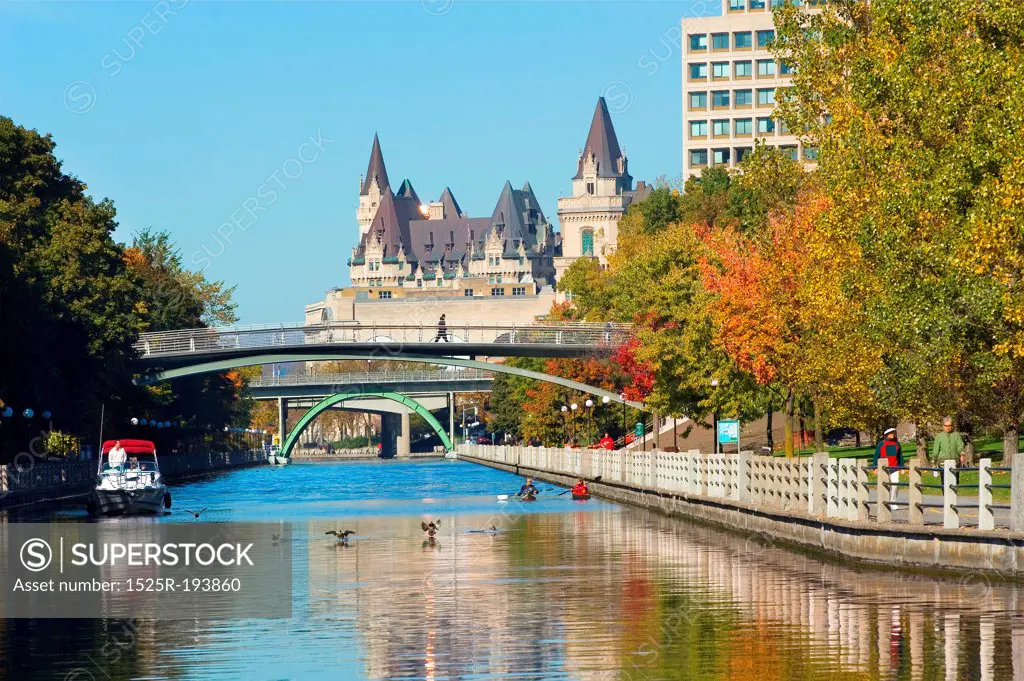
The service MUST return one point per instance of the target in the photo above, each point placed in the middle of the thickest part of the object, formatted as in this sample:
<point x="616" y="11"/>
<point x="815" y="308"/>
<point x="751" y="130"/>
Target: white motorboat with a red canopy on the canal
<point x="131" y="485"/>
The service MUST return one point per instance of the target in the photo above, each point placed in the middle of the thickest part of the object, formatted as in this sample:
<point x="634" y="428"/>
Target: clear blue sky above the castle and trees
<point x="243" y="127"/>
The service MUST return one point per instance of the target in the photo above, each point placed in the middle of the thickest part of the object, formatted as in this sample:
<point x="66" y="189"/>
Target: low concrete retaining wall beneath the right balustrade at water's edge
<point x="992" y="552"/>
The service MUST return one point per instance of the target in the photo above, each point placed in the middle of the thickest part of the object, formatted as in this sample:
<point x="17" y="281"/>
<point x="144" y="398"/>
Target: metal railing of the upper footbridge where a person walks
<point x="292" y="335"/>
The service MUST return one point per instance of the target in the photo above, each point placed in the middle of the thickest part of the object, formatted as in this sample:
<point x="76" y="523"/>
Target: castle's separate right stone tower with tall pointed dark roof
<point x="603" y="190"/>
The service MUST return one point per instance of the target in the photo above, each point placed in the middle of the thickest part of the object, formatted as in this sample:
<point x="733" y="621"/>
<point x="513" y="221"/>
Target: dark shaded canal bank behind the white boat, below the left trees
<point x="70" y="482"/>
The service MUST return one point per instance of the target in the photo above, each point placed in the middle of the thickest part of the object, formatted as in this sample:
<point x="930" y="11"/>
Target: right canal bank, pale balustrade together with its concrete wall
<point x="815" y="504"/>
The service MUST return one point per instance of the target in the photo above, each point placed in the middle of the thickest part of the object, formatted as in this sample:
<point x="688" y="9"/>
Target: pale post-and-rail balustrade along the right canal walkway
<point x="819" y="486"/>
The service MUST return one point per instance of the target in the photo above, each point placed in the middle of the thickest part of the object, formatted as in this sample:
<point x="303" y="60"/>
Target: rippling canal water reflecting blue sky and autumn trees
<point x="564" y="590"/>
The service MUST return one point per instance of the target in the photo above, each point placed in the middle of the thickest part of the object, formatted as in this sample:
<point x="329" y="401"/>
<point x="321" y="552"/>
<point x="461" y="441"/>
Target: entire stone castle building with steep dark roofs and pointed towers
<point x="501" y="268"/>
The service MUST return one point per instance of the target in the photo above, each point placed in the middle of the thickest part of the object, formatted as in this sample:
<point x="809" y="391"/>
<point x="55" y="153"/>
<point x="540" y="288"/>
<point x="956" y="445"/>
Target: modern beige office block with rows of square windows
<point x="731" y="82"/>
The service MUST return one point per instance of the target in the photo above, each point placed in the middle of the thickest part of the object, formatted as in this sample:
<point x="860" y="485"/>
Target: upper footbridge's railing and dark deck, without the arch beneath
<point x="569" y="339"/>
